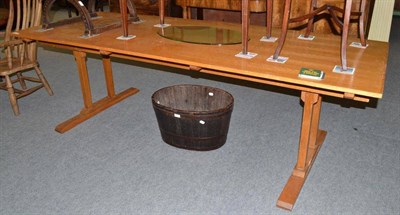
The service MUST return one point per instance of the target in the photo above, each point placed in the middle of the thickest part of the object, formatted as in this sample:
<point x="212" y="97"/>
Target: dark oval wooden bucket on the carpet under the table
<point x="193" y="116"/>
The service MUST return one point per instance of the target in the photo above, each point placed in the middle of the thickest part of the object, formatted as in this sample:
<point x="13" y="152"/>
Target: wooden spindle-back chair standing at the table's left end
<point x="20" y="55"/>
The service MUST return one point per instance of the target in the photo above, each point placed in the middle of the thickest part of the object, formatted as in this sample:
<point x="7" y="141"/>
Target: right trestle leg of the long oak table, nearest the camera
<point x="311" y="139"/>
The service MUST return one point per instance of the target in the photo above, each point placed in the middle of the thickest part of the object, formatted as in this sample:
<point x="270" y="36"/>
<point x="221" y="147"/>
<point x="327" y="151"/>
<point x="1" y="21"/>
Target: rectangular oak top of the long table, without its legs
<point x="323" y="53"/>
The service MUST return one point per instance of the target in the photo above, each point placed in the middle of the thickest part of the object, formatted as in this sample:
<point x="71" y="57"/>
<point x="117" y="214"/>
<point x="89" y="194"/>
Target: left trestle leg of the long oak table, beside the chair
<point x="89" y="108"/>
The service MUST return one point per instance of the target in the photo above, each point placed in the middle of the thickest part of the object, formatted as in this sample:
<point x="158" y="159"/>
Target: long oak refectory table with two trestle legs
<point x="365" y="84"/>
